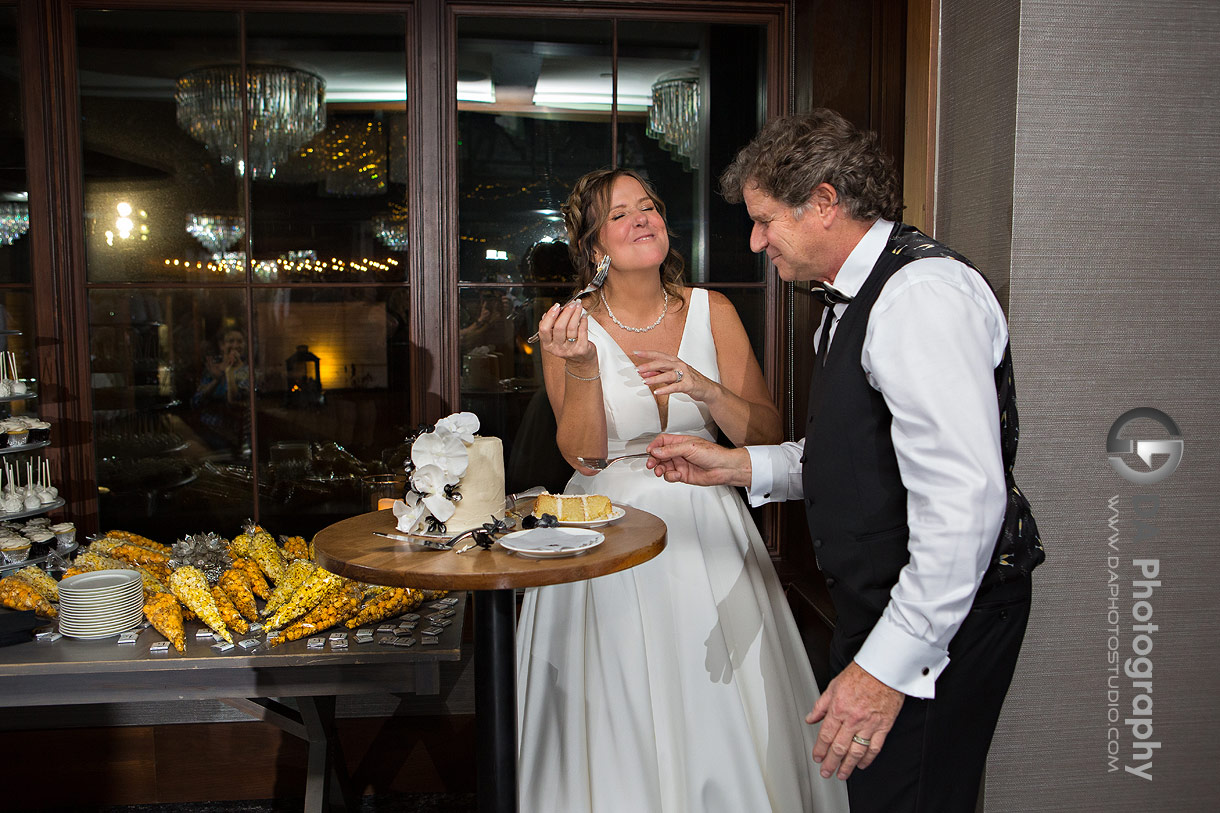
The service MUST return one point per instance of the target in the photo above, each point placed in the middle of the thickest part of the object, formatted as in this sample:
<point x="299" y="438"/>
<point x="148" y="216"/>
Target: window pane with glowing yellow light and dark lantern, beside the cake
<point x="332" y="377"/>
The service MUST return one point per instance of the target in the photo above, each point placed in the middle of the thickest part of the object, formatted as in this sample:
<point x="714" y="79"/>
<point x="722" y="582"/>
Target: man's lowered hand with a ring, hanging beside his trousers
<point x="855" y="707"/>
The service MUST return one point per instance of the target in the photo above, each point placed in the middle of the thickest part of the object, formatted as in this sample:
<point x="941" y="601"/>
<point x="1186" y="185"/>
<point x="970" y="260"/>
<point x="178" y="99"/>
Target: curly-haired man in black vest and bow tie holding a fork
<point x="906" y="469"/>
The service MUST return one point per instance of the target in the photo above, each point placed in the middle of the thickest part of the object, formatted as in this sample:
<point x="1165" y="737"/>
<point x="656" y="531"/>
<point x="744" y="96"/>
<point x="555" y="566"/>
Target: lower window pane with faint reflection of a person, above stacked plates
<point x="171" y="383"/>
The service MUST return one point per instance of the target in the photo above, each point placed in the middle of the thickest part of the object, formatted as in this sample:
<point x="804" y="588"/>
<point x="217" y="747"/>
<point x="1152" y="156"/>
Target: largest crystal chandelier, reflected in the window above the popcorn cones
<point x="286" y="109"/>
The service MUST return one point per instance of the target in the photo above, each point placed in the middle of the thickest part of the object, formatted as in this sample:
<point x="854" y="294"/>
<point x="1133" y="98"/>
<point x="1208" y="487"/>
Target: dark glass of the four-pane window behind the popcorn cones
<point x="251" y="385"/>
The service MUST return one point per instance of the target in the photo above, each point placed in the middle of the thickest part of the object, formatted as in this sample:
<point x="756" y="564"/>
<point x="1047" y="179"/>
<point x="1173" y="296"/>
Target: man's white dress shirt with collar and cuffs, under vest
<point x="935" y="338"/>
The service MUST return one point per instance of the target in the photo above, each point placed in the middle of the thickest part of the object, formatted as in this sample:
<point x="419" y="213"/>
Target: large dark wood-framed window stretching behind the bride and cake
<point x="271" y="229"/>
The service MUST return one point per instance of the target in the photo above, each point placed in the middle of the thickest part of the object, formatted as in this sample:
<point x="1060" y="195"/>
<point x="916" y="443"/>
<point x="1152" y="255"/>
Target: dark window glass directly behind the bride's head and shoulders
<point x="540" y="104"/>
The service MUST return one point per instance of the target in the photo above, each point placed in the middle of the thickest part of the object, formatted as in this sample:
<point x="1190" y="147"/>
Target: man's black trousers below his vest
<point x="934" y="759"/>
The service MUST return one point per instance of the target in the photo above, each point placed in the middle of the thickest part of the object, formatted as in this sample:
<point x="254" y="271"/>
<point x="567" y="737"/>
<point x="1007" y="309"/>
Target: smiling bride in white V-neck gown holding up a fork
<point x="680" y="685"/>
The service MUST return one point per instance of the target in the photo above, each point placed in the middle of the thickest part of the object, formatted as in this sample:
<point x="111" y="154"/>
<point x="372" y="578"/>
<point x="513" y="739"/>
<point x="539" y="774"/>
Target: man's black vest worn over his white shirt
<point x="855" y="496"/>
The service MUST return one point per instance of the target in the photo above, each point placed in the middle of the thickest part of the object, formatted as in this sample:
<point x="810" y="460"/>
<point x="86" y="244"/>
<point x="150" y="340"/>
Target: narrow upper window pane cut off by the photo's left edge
<point x="14" y="190"/>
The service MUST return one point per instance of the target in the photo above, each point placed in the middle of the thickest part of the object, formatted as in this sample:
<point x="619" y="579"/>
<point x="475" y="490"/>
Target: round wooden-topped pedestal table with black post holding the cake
<point x="350" y="549"/>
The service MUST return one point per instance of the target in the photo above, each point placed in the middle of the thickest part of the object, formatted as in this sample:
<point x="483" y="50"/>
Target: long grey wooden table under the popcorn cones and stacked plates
<point x="252" y="681"/>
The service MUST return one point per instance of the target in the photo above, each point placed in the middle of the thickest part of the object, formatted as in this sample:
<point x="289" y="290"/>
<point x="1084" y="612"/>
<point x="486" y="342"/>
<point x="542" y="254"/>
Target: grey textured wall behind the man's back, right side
<point x="1080" y="163"/>
